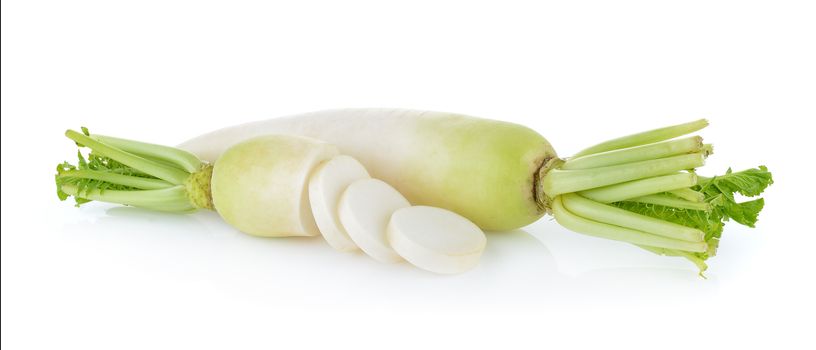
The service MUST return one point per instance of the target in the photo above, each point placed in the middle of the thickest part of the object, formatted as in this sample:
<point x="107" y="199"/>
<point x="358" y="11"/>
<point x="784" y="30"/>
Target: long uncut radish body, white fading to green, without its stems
<point x="479" y="168"/>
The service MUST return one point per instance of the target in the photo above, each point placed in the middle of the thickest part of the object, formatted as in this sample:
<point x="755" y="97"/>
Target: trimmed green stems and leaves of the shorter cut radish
<point x="134" y="173"/>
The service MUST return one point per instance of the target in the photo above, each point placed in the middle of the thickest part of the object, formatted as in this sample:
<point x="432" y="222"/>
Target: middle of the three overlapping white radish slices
<point x="365" y="208"/>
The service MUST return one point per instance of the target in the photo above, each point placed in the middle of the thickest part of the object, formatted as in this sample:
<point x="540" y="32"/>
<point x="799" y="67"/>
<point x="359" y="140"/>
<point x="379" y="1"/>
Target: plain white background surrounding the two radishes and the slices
<point x="106" y="277"/>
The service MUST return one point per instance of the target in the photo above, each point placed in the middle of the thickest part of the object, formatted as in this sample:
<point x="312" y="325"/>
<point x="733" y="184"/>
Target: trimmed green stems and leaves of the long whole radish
<point x="643" y="189"/>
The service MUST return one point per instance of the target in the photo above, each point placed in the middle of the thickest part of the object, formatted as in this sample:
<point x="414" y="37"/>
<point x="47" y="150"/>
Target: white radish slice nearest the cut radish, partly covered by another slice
<point x="325" y="187"/>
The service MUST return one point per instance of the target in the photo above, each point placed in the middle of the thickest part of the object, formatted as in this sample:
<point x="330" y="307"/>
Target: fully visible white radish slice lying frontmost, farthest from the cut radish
<point x="436" y="239"/>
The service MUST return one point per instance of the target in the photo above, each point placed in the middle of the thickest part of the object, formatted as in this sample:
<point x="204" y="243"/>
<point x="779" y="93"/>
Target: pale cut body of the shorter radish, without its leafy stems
<point x="259" y="186"/>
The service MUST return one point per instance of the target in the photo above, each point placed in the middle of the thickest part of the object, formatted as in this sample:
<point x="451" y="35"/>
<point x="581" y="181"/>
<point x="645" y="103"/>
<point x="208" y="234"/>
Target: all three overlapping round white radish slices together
<point x="354" y="211"/>
